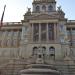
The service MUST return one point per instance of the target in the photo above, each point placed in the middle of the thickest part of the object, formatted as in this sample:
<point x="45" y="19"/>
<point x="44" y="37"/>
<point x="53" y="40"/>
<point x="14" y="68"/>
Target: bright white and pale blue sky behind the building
<point x="15" y="9"/>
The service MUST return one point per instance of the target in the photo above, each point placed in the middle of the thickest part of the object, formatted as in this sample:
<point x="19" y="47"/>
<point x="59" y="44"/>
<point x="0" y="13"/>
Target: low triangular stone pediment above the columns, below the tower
<point x="44" y="16"/>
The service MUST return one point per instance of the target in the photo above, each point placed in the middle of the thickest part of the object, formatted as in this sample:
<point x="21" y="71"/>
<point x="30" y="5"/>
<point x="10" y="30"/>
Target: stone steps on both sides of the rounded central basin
<point x="13" y="67"/>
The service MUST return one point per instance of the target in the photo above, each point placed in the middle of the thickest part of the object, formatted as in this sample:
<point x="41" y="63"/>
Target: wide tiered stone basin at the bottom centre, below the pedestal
<point x="39" y="69"/>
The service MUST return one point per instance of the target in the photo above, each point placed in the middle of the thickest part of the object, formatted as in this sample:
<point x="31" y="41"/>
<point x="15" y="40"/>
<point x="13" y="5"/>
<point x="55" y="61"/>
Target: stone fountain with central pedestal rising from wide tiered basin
<point x="40" y="67"/>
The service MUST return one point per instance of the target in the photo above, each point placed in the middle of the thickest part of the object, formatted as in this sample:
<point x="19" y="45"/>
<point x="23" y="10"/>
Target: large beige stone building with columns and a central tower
<point x="44" y="33"/>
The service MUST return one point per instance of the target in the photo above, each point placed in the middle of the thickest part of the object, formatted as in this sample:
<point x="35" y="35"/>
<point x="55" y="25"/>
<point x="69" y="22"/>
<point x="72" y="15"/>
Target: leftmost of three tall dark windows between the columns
<point x="35" y="32"/>
